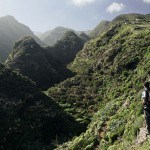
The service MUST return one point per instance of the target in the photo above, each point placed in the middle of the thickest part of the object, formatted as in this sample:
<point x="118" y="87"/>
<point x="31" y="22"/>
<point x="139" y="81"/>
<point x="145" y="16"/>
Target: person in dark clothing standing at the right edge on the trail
<point x="146" y="104"/>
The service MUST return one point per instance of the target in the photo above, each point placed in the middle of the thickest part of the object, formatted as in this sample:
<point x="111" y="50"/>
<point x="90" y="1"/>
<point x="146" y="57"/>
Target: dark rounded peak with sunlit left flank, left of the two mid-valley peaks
<point x="33" y="61"/>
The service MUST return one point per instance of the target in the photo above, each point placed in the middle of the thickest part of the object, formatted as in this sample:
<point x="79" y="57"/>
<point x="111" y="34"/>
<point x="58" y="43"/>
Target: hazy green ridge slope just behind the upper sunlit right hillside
<point x="99" y="29"/>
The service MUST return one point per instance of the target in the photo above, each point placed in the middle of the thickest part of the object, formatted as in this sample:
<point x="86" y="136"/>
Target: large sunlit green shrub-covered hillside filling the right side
<point x="110" y="71"/>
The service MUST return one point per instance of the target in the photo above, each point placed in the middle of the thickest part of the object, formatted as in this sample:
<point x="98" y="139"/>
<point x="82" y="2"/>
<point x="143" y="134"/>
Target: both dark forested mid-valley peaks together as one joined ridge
<point x="45" y="66"/>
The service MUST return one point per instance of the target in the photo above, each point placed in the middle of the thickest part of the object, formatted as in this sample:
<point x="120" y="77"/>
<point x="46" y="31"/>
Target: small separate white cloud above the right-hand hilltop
<point x="115" y="7"/>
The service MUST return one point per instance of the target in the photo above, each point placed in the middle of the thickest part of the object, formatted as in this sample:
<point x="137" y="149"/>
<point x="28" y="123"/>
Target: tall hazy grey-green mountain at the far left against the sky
<point x="10" y="31"/>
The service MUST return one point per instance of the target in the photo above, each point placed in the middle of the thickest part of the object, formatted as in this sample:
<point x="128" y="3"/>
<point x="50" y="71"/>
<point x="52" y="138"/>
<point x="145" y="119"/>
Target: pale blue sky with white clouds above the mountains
<point x="80" y="15"/>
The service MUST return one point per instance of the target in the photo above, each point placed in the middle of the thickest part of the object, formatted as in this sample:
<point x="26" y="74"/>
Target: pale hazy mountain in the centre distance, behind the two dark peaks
<point x="52" y="36"/>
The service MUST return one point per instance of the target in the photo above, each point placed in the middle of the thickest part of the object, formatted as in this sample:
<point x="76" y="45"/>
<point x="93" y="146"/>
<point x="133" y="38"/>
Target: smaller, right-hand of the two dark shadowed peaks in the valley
<point x="66" y="49"/>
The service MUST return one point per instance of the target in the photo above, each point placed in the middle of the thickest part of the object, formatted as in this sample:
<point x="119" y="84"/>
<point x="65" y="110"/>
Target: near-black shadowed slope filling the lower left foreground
<point x="28" y="118"/>
